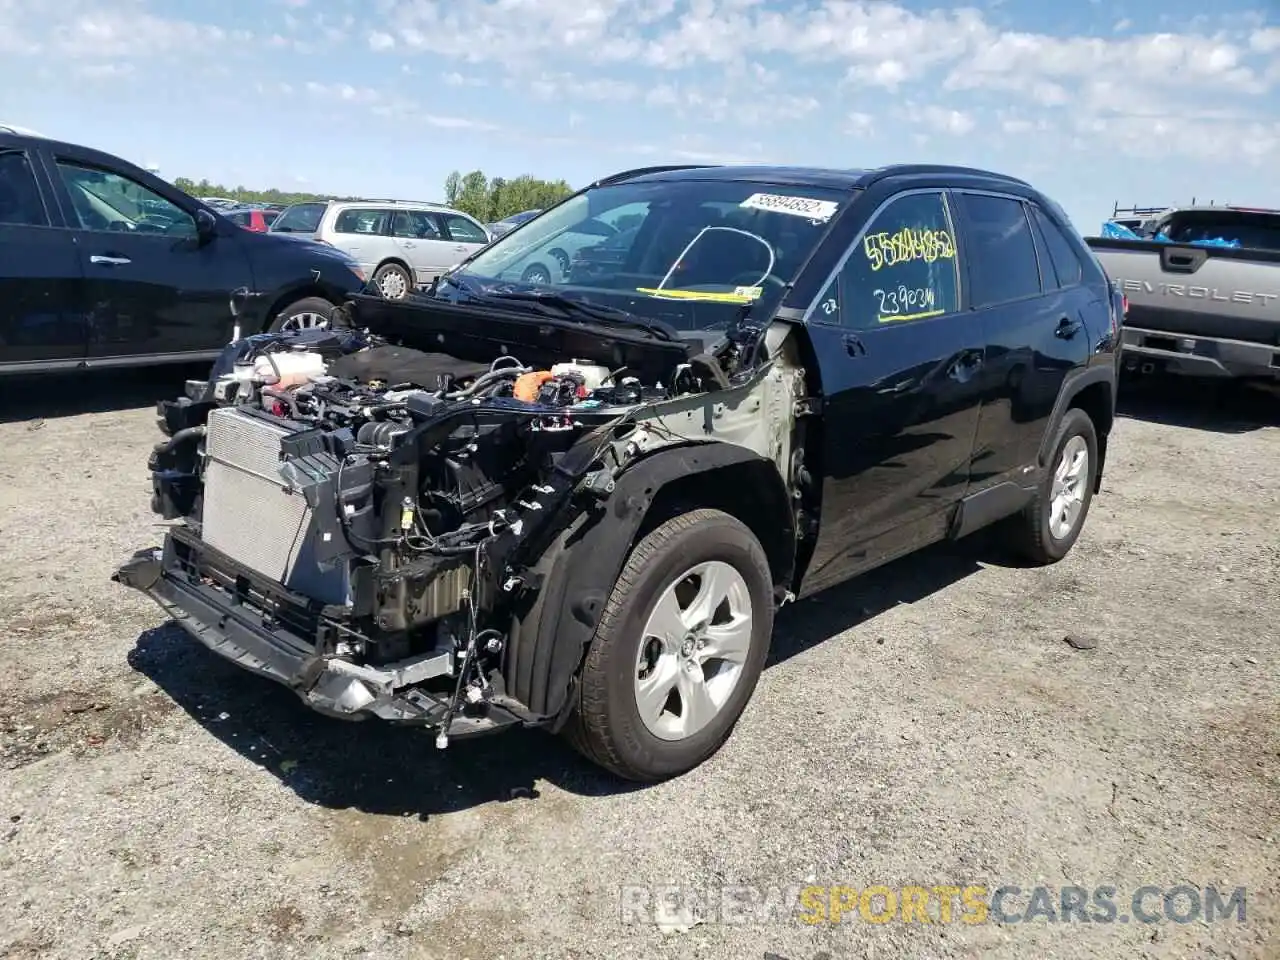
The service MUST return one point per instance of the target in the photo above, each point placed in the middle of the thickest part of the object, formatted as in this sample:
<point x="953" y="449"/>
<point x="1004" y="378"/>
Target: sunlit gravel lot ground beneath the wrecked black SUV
<point x="926" y="725"/>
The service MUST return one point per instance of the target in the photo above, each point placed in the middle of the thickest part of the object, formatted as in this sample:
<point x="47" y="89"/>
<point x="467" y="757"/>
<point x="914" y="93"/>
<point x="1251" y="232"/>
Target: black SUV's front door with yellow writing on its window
<point x="902" y="371"/>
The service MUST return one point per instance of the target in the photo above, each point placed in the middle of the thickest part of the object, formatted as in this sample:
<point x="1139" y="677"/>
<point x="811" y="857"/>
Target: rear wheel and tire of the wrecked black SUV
<point x="1034" y="533"/>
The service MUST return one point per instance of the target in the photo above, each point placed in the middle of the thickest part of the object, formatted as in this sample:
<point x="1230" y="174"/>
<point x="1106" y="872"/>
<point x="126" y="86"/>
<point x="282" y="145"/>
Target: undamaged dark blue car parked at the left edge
<point x="103" y="264"/>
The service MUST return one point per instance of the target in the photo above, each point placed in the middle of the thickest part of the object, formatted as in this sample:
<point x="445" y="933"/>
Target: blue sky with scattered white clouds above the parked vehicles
<point x="808" y="71"/>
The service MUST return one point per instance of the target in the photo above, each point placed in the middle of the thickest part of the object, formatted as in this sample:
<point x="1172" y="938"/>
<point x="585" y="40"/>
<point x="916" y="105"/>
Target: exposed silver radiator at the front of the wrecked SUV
<point x="252" y="515"/>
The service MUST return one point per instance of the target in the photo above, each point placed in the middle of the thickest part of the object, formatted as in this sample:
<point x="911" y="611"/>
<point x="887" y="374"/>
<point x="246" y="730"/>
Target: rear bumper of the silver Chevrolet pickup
<point x="1199" y="356"/>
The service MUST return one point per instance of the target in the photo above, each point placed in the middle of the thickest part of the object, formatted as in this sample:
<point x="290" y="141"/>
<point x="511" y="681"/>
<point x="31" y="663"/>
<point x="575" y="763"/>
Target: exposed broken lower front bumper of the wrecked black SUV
<point x="259" y="643"/>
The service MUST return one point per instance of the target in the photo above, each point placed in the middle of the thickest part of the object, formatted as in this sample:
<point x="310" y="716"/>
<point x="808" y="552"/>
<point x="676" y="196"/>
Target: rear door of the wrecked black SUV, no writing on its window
<point x="1036" y="328"/>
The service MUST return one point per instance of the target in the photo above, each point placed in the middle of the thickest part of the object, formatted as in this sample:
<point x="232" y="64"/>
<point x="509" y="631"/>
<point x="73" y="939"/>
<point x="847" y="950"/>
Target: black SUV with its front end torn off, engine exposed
<point x="575" y="500"/>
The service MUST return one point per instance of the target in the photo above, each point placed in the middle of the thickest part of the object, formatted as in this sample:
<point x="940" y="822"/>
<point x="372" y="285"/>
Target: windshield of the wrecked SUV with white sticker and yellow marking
<point x="692" y="253"/>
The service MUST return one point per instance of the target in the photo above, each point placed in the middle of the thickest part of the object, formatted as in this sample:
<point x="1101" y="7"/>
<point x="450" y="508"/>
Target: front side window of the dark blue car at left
<point x="108" y="202"/>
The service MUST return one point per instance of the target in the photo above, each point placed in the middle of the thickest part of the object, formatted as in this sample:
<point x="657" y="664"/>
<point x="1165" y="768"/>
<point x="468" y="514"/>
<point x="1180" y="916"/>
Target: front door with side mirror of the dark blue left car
<point x="154" y="287"/>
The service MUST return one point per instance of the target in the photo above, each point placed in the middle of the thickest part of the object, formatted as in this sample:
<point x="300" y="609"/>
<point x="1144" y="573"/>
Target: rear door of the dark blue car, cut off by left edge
<point x="42" y="287"/>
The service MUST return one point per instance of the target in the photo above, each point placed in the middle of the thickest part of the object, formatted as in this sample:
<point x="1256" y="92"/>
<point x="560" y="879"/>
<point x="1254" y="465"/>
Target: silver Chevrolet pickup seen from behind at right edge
<point x="1204" y="292"/>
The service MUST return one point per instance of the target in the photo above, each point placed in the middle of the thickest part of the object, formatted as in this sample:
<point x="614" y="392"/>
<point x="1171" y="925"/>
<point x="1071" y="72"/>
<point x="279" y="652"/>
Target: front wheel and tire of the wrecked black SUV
<point x="607" y="726"/>
